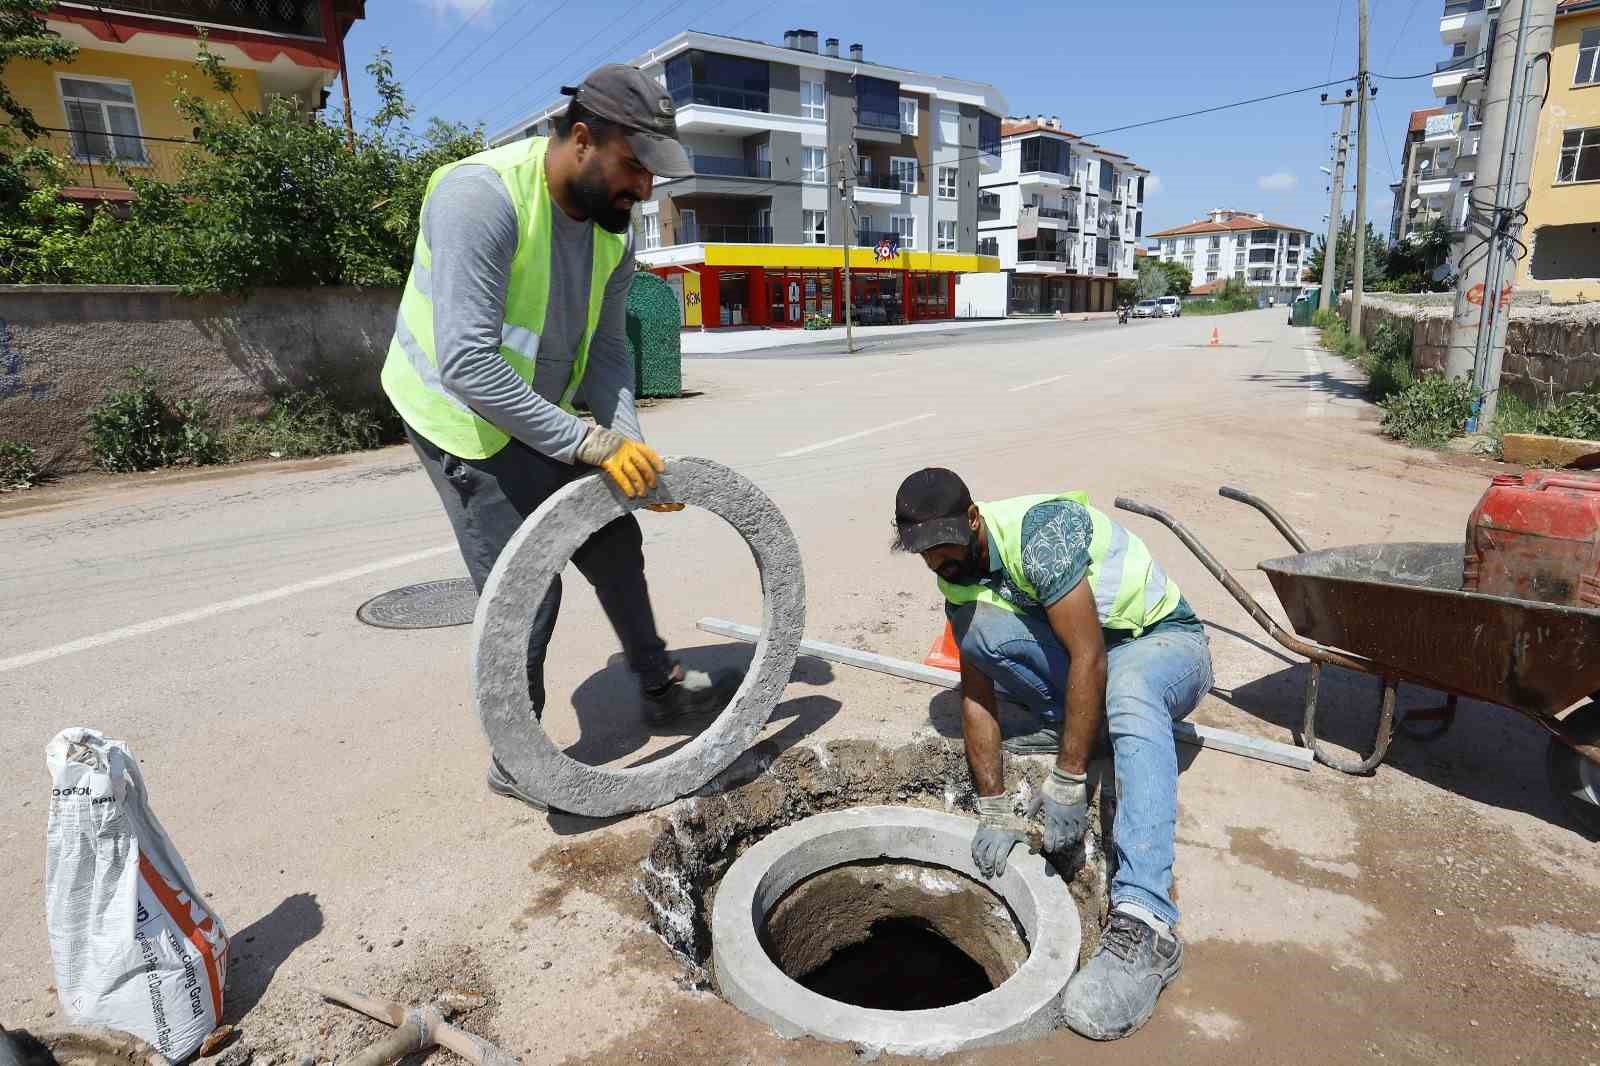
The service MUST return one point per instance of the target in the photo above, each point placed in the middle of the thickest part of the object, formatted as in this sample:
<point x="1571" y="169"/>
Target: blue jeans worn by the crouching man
<point x="1150" y="684"/>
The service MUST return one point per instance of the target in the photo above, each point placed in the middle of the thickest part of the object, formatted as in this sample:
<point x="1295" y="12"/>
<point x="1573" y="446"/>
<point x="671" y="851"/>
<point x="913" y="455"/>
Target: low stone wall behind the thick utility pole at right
<point x="1551" y="350"/>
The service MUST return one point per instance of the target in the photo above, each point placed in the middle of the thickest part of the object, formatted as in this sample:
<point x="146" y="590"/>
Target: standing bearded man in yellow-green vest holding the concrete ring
<point x="513" y="310"/>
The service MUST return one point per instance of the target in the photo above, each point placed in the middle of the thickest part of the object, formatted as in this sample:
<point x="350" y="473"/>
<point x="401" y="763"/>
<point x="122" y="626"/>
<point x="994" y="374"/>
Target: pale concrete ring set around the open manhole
<point x="1022" y="1009"/>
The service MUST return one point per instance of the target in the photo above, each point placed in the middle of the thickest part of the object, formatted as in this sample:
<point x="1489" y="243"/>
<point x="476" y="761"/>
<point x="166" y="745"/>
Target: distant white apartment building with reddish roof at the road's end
<point x="1268" y="257"/>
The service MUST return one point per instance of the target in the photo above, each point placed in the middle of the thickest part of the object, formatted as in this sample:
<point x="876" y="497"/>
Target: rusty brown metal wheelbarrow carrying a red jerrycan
<point x="1398" y="612"/>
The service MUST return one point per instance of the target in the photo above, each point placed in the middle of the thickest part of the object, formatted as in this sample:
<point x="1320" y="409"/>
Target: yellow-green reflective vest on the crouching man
<point x="1132" y="591"/>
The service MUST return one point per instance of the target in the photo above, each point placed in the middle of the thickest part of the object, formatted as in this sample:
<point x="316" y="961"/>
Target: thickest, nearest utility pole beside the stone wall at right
<point x="1511" y="124"/>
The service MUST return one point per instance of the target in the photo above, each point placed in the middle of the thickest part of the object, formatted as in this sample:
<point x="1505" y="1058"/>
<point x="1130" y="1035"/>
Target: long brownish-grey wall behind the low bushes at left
<point x="62" y="348"/>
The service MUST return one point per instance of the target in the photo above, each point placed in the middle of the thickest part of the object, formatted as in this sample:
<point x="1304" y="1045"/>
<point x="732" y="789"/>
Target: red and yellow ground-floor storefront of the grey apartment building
<point x="737" y="287"/>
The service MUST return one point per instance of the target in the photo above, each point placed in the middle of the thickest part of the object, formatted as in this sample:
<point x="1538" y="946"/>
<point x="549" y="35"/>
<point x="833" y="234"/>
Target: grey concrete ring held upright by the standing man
<point x="519" y="583"/>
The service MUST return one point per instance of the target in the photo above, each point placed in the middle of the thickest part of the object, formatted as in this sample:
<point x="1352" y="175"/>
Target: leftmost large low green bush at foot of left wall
<point x="135" y="430"/>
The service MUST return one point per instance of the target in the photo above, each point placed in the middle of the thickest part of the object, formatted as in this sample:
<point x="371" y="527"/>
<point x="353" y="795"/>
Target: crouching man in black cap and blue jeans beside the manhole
<point x="1065" y="612"/>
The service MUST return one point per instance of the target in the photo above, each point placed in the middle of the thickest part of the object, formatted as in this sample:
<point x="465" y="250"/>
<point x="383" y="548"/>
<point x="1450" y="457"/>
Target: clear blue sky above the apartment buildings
<point x="494" y="60"/>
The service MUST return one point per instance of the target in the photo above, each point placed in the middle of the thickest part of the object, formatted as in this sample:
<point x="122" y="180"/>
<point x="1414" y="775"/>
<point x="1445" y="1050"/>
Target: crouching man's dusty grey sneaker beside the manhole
<point x="1118" y="988"/>
